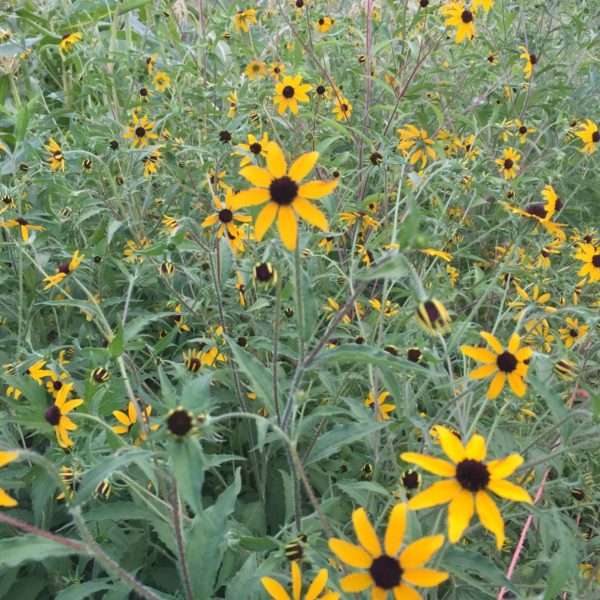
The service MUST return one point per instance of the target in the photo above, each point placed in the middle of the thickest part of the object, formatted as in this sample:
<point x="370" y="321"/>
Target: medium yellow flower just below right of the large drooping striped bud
<point x="501" y="364"/>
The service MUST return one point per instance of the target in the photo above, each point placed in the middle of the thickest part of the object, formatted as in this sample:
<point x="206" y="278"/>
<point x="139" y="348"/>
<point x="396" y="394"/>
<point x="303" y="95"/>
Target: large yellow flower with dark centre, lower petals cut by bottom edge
<point x="388" y="570"/>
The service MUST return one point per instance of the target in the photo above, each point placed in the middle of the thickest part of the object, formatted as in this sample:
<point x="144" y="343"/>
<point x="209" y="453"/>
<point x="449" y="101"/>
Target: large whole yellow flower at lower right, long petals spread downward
<point x="467" y="485"/>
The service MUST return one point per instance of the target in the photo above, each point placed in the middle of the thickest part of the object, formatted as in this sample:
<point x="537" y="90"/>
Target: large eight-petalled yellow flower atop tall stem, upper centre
<point x="285" y="196"/>
